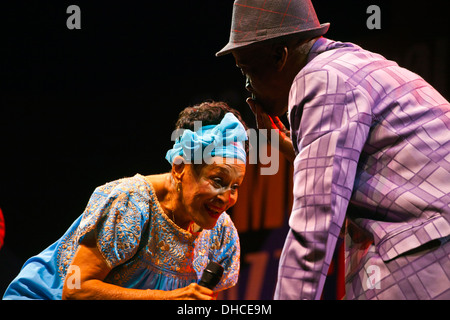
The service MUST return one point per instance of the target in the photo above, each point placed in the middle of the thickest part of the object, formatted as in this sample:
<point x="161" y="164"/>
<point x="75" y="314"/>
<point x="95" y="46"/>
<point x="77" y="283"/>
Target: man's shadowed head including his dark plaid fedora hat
<point x="270" y="41"/>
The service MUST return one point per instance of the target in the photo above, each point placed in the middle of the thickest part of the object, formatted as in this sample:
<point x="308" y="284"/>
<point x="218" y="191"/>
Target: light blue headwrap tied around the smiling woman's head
<point x="222" y="140"/>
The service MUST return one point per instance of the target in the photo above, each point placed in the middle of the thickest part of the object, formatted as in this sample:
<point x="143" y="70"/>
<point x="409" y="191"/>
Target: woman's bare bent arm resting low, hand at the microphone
<point x="93" y="270"/>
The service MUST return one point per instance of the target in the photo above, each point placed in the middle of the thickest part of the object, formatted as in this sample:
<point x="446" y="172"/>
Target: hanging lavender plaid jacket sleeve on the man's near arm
<point x="330" y="122"/>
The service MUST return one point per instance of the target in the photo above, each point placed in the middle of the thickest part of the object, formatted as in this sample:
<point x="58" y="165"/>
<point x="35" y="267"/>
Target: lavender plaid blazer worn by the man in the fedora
<point x="368" y="135"/>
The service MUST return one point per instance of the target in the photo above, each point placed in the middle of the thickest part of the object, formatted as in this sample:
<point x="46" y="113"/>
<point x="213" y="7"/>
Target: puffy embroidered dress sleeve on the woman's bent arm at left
<point x="117" y="212"/>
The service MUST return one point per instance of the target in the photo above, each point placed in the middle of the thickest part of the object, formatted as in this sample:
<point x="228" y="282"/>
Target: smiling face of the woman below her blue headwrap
<point x="211" y="189"/>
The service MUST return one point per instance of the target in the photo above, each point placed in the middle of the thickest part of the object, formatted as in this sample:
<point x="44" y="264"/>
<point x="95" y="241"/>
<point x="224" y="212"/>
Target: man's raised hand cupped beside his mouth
<point x="264" y="121"/>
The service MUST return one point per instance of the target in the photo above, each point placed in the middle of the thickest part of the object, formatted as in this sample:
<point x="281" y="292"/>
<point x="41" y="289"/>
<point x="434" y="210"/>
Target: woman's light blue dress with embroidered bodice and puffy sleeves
<point x="143" y="246"/>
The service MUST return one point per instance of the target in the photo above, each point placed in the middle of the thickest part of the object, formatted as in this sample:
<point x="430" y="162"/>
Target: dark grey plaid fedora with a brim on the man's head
<point x="254" y="21"/>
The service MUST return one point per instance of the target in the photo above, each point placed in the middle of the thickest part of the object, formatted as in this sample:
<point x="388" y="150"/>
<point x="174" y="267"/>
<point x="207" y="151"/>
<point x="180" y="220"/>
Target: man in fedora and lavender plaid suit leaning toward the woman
<point x="370" y="147"/>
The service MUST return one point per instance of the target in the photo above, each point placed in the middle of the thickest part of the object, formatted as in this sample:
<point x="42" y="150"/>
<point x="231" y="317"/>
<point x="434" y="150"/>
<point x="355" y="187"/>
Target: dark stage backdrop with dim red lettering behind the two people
<point x="79" y="108"/>
